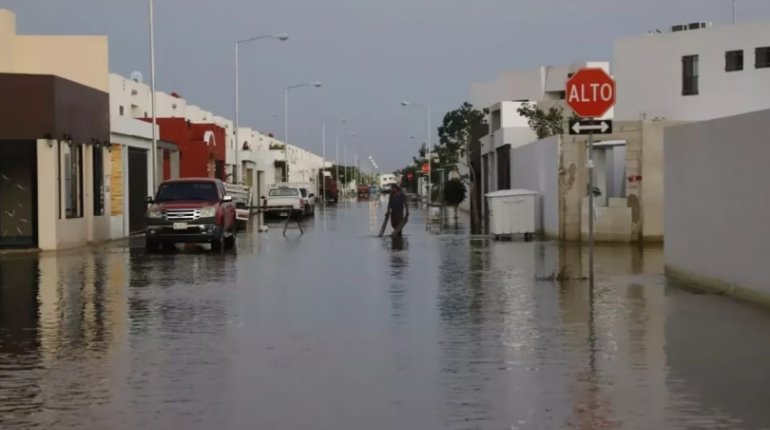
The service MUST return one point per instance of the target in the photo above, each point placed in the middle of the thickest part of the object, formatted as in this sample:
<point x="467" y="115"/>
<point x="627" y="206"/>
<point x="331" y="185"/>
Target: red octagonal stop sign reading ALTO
<point x="590" y="92"/>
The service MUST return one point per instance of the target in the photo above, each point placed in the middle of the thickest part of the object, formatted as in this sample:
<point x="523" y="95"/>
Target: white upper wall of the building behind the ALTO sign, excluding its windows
<point x="648" y="92"/>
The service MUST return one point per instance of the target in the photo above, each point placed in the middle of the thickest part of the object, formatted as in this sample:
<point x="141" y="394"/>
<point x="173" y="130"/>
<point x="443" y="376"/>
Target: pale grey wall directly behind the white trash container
<point x="536" y="167"/>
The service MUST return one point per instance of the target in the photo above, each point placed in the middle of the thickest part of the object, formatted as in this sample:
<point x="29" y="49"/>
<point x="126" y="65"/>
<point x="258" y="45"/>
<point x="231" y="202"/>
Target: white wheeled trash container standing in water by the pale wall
<point x="514" y="212"/>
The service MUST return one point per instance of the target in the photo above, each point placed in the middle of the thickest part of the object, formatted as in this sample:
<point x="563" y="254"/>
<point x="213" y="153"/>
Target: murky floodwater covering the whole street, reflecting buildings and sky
<point x="338" y="329"/>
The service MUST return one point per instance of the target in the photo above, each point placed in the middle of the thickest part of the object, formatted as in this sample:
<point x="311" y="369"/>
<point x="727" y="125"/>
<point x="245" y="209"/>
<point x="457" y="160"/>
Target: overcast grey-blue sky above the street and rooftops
<point x="369" y="54"/>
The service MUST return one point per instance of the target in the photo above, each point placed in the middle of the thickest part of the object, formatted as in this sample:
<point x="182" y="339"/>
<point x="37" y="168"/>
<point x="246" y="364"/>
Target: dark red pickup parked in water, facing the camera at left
<point x="195" y="210"/>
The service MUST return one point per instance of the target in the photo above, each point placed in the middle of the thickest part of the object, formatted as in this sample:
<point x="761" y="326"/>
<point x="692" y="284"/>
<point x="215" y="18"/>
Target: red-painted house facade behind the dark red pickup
<point x="201" y="148"/>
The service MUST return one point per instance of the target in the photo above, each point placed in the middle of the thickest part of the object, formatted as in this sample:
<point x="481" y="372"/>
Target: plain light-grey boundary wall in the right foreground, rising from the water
<point x="717" y="210"/>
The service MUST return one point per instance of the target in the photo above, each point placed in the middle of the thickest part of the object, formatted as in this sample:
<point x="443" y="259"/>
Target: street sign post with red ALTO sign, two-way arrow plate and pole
<point x="590" y="93"/>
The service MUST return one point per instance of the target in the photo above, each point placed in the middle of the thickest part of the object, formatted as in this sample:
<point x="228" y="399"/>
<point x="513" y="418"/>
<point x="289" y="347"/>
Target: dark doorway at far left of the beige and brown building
<point x="18" y="194"/>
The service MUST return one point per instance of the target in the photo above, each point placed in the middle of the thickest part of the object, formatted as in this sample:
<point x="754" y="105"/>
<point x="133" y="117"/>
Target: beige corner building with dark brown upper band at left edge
<point x="54" y="147"/>
